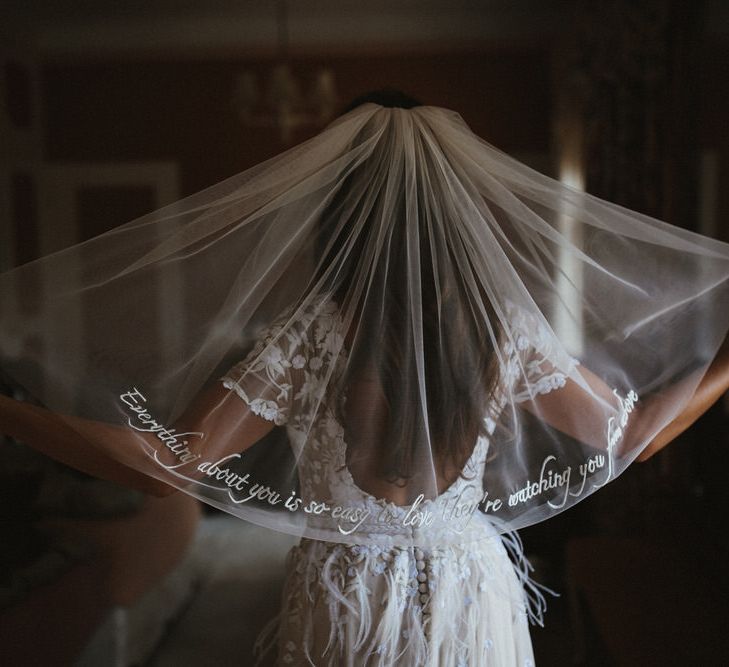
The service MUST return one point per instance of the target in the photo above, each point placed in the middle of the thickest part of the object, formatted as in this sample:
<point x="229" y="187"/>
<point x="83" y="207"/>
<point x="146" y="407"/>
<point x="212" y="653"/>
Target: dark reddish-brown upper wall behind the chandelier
<point x="182" y="110"/>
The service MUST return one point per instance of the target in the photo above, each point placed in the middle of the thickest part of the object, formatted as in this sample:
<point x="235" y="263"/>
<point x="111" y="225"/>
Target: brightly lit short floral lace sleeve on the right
<point x="537" y="363"/>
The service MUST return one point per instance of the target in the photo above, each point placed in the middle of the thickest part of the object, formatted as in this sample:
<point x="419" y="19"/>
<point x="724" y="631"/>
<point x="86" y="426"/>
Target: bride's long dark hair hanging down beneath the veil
<point x="460" y="366"/>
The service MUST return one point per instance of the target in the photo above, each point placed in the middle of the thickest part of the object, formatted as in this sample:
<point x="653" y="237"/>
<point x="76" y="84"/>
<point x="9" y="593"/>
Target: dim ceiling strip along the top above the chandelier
<point x="98" y="27"/>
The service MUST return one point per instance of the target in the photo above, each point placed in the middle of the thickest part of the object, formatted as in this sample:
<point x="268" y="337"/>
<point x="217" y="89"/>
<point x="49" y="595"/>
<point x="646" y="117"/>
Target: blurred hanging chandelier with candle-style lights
<point x="283" y="102"/>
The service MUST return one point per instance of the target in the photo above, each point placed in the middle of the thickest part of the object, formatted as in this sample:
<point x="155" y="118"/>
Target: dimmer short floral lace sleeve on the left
<point x="266" y="378"/>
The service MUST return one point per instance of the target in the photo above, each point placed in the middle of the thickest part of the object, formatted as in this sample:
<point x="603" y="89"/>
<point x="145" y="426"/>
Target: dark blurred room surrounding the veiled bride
<point x="109" y="110"/>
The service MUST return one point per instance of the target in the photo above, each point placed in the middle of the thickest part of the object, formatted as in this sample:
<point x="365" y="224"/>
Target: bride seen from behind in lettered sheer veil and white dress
<point x="453" y="345"/>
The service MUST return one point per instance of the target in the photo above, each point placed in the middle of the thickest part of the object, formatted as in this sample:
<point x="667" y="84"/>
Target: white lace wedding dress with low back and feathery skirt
<point x="343" y="604"/>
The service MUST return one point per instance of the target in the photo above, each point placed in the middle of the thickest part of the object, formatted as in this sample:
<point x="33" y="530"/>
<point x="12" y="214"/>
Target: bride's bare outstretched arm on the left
<point x="113" y="452"/>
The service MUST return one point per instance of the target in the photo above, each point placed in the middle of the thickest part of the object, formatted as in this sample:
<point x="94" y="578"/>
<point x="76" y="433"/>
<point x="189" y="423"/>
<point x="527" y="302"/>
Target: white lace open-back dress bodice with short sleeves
<point x="283" y="379"/>
